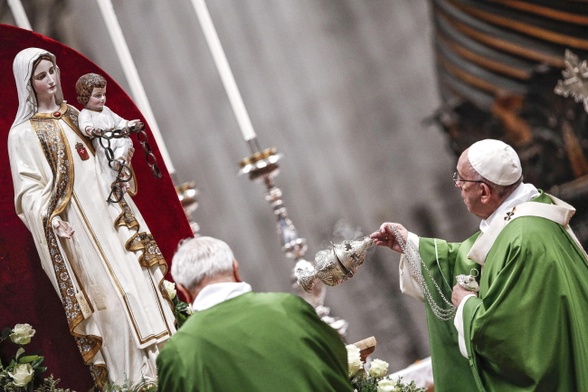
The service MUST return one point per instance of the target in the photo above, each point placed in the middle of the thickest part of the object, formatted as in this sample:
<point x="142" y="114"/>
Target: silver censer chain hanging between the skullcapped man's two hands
<point x="416" y="262"/>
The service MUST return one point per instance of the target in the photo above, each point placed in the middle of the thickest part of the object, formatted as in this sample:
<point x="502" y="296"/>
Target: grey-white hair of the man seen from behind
<point x="199" y="258"/>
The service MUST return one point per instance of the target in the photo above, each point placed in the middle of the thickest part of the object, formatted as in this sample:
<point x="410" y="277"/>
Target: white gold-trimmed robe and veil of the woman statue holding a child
<point x="109" y="274"/>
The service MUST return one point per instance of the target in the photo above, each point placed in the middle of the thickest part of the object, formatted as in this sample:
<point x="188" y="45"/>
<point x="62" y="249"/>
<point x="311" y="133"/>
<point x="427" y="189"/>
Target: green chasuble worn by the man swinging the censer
<point x="528" y="329"/>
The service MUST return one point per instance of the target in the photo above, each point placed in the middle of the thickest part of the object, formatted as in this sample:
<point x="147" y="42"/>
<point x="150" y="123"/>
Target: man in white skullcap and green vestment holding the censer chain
<point x="524" y="325"/>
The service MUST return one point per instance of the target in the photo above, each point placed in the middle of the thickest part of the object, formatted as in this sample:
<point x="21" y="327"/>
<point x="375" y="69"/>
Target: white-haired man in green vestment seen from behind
<point x="239" y="340"/>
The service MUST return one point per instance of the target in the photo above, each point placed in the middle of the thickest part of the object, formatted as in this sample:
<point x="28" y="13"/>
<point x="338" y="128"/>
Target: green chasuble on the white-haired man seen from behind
<point x="255" y="342"/>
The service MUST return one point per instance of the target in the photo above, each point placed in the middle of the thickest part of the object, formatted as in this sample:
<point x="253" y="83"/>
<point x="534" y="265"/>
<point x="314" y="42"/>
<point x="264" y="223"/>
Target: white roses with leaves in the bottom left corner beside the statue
<point x="23" y="372"/>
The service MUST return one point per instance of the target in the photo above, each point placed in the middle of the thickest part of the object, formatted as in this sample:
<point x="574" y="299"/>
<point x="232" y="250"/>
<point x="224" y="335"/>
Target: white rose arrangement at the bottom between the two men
<point x="371" y="377"/>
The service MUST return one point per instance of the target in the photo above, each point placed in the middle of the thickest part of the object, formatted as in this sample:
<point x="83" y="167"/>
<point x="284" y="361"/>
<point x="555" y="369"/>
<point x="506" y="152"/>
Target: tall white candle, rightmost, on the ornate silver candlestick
<point x="224" y="70"/>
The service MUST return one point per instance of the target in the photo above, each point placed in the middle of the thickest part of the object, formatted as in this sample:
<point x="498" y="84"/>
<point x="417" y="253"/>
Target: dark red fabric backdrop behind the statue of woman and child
<point x="26" y="294"/>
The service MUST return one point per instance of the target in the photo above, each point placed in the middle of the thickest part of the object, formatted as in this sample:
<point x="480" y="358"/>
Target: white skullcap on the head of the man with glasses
<point x="496" y="161"/>
